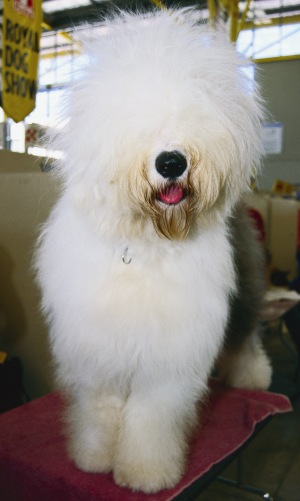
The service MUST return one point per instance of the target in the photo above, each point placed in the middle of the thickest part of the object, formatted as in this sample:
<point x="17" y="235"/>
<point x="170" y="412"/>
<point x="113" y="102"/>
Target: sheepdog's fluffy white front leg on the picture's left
<point x="93" y="423"/>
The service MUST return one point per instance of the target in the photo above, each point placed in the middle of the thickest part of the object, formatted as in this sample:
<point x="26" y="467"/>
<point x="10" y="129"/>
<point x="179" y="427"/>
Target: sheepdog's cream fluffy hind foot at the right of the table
<point x="247" y="365"/>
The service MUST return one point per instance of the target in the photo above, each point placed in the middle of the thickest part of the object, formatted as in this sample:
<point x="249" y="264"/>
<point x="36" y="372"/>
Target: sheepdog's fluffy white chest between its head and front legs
<point x="170" y="301"/>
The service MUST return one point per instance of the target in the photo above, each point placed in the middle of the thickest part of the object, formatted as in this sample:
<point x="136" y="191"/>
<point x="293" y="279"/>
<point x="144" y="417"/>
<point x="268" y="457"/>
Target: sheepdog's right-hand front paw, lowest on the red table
<point x="149" y="477"/>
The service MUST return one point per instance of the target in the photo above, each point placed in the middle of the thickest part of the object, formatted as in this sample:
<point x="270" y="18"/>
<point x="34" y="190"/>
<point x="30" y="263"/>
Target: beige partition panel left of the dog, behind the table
<point x="26" y="195"/>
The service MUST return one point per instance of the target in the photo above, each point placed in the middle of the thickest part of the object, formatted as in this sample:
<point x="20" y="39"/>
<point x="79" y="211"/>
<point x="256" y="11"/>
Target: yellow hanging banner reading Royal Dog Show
<point x="20" y="55"/>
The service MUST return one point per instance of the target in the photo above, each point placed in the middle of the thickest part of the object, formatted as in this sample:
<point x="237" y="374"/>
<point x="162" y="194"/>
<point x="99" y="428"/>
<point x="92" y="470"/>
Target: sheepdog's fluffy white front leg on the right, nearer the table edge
<point x="153" y="437"/>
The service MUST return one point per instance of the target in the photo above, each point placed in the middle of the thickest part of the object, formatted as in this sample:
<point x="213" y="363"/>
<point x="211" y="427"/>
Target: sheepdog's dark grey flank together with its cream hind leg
<point x="243" y="362"/>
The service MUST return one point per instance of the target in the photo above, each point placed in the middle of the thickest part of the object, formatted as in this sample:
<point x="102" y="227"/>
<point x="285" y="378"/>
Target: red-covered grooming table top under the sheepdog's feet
<point x="34" y="465"/>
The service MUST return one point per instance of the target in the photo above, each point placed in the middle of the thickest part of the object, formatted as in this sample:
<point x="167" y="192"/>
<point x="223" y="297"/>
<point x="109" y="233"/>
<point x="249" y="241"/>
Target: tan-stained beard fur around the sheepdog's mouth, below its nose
<point x="203" y="188"/>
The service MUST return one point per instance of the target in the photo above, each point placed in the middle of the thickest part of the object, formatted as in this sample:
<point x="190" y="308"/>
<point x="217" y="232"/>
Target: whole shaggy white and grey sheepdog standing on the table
<point x="148" y="266"/>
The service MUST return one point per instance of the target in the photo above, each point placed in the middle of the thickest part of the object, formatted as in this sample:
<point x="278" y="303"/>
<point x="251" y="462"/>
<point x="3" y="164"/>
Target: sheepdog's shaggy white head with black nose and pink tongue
<point x="171" y="130"/>
